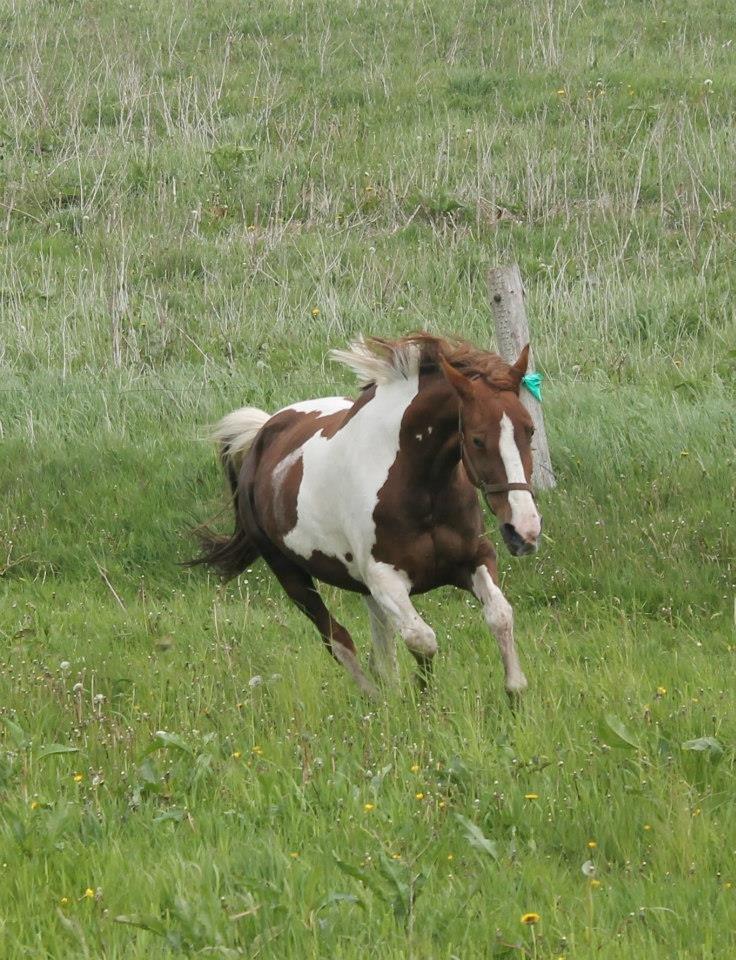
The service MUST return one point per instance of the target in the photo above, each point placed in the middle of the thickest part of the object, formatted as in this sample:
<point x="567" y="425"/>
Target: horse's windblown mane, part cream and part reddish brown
<point x="376" y="360"/>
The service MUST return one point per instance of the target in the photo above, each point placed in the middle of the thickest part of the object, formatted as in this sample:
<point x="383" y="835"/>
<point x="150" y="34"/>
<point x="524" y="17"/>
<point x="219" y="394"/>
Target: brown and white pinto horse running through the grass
<point x="378" y="495"/>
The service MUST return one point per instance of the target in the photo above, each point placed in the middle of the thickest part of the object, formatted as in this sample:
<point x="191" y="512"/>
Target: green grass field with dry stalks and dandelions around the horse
<point x="197" y="200"/>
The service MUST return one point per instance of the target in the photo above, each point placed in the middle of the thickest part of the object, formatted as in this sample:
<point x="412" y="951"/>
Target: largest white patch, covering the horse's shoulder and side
<point x="343" y="474"/>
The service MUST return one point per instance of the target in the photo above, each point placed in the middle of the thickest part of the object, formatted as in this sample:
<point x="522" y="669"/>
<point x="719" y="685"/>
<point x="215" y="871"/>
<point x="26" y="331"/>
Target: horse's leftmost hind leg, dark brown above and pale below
<point x="300" y="587"/>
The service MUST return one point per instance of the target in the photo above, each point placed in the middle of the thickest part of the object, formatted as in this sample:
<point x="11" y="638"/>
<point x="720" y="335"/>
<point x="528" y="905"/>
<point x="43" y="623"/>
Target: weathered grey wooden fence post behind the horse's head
<point x="512" y="333"/>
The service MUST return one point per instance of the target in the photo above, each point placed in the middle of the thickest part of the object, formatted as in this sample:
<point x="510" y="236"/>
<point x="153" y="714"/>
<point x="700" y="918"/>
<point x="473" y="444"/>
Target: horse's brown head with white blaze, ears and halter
<point x="495" y="442"/>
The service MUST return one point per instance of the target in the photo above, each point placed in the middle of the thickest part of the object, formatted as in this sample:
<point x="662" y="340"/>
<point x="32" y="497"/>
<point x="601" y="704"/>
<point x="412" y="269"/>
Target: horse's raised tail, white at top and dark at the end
<point x="231" y="555"/>
